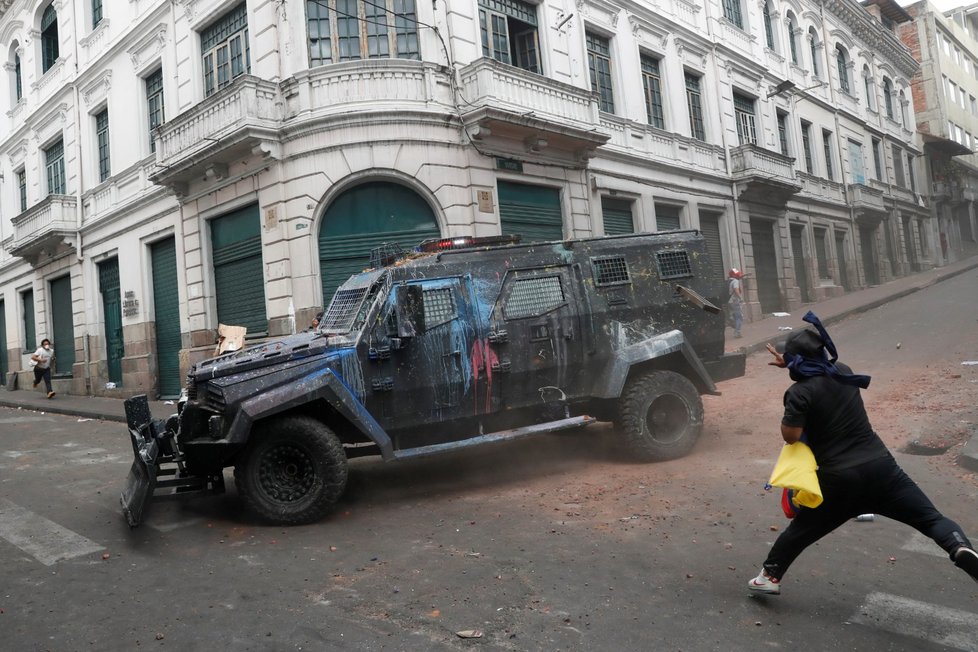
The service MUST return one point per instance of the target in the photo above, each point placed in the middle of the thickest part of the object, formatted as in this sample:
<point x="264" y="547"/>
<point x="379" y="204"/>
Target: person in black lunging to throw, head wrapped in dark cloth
<point x="856" y="472"/>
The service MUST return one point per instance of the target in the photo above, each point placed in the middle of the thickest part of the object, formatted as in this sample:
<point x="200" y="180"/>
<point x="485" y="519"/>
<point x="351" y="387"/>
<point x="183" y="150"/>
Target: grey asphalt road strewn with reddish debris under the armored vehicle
<point x="558" y="543"/>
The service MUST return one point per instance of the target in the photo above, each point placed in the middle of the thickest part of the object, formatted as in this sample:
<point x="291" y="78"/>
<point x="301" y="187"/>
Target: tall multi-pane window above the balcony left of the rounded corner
<point x="227" y="54"/>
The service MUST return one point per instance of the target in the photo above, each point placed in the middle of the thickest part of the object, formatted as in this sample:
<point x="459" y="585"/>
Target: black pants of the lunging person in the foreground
<point x="876" y="487"/>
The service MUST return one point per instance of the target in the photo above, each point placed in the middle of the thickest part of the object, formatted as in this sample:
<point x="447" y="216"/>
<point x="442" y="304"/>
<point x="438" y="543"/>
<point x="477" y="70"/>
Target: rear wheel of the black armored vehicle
<point x="660" y="413"/>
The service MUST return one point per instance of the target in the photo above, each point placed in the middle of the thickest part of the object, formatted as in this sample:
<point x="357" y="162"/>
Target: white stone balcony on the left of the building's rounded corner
<point x="219" y="121"/>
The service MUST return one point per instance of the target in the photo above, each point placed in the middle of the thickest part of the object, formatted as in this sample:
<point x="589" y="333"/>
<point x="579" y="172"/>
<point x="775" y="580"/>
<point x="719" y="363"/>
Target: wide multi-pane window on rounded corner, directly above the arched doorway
<point x="349" y="30"/>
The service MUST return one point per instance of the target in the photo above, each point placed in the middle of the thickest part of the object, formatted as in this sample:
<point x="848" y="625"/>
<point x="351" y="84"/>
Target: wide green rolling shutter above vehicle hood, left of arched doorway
<point x="238" y="276"/>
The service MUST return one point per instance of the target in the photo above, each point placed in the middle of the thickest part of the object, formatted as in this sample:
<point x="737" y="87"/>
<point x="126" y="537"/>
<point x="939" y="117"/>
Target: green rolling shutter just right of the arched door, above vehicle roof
<point x="532" y="212"/>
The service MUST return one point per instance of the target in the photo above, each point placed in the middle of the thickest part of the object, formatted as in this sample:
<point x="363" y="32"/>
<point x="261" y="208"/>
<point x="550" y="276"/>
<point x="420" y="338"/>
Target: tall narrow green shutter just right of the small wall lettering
<point x="166" y="307"/>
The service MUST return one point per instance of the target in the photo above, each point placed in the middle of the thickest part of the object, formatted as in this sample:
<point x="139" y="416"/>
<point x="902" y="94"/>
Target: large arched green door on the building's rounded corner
<point x="364" y="217"/>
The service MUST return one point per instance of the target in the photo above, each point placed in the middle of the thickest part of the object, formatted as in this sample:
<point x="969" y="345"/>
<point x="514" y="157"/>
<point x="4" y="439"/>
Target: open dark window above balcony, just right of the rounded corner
<point x="509" y="33"/>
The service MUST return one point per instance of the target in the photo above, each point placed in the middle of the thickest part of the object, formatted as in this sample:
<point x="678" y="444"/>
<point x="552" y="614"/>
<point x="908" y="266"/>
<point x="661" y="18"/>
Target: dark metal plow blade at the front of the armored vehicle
<point x="141" y="482"/>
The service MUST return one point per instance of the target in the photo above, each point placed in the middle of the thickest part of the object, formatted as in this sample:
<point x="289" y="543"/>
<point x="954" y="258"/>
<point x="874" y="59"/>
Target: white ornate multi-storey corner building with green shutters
<point x="168" y="167"/>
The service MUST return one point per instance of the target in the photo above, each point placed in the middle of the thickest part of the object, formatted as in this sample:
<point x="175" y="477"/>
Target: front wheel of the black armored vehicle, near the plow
<point x="293" y="470"/>
